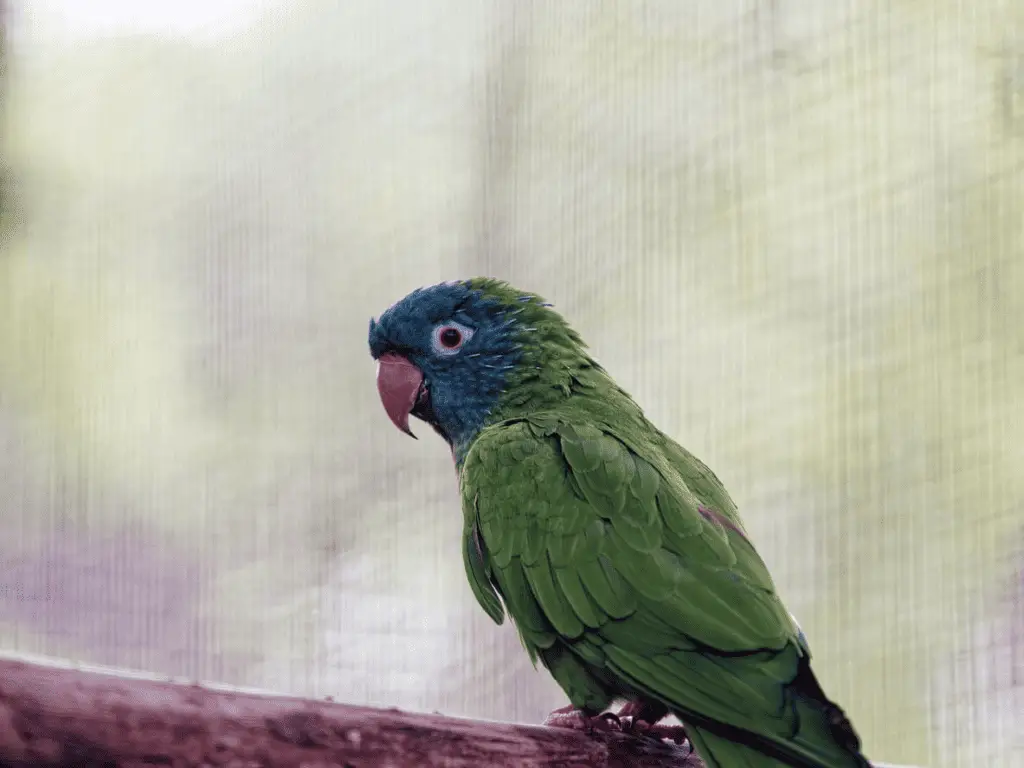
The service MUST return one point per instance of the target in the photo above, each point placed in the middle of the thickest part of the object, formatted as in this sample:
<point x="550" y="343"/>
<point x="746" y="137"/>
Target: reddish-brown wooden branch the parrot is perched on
<point x="55" y="714"/>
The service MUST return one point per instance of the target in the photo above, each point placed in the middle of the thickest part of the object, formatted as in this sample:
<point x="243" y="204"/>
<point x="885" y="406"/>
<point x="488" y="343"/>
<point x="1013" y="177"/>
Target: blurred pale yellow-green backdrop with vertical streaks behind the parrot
<point x="793" y="230"/>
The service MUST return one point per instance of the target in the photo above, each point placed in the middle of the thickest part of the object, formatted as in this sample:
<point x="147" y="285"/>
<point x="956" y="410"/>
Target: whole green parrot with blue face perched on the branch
<point x="619" y="556"/>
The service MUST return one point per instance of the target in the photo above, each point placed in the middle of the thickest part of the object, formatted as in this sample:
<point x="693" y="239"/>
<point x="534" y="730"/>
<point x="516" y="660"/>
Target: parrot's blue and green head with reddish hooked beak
<point x="458" y="355"/>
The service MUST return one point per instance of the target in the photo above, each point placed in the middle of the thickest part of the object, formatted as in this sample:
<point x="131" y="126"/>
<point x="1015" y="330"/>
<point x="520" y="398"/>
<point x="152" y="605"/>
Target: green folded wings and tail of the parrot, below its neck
<point x="619" y="583"/>
